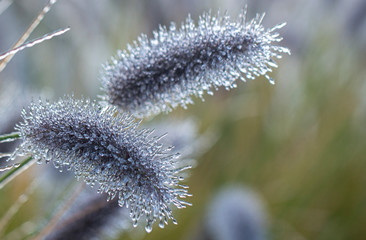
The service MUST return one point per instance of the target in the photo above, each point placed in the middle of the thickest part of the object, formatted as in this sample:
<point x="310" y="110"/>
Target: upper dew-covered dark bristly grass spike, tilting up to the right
<point x="157" y="75"/>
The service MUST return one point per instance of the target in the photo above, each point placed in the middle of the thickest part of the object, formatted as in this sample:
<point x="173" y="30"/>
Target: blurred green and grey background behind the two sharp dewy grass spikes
<point x="297" y="149"/>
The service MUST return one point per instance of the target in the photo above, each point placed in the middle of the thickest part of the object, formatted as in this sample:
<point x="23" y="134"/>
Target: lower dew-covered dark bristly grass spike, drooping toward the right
<point x="106" y="148"/>
